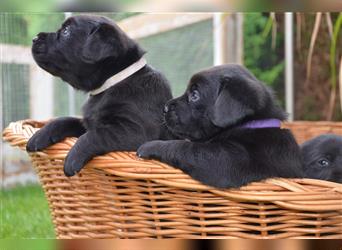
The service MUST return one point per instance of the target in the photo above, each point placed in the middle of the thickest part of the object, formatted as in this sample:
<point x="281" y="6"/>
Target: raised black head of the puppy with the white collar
<point x="85" y="51"/>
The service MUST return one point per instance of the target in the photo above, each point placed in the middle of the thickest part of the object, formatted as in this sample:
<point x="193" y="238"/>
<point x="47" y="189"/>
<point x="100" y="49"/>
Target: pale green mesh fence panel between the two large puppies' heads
<point x="181" y="52"/>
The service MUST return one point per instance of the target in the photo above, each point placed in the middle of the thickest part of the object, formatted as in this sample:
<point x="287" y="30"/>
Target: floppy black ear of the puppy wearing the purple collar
<point x="227" y="110"/>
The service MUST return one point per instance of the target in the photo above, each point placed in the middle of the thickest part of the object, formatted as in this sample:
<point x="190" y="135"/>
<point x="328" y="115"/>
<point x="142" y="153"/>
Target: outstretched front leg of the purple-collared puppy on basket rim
<point x="205" y="162"/>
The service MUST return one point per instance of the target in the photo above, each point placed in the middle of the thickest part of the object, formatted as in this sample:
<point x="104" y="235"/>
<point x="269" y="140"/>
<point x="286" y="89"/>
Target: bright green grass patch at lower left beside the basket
<point x="25" y="214"/>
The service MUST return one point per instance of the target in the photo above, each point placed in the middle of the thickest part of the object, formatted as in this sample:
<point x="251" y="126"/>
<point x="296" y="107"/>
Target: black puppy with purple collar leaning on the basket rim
<point x="231" y="128"/>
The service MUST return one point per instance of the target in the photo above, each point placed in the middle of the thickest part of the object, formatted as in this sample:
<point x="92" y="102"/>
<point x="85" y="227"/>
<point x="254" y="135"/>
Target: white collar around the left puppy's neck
<point x="125" y="73"/>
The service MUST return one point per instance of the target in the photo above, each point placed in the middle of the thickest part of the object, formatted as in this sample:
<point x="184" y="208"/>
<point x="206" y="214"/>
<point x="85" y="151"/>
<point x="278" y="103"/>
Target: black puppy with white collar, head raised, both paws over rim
<point x="125" y="106"/>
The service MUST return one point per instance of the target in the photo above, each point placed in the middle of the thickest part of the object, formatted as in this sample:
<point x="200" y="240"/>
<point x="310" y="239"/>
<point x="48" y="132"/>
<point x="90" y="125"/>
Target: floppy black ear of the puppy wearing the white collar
<point x="101" y="43"/>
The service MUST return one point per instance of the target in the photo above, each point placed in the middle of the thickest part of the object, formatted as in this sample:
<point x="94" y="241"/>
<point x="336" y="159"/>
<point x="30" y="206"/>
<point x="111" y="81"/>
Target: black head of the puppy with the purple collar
<point x="219" y="98"/>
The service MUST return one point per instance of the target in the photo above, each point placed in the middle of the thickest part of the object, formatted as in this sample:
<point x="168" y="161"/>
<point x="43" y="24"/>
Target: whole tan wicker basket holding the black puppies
<point x="120" y="196"/>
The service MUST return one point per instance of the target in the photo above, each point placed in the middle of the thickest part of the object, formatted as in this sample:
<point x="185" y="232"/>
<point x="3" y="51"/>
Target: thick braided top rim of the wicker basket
<point x="288" y="193"/>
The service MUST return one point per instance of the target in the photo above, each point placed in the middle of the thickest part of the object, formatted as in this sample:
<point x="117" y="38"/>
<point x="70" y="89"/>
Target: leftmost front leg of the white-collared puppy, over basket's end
<point x="55" y="131"/>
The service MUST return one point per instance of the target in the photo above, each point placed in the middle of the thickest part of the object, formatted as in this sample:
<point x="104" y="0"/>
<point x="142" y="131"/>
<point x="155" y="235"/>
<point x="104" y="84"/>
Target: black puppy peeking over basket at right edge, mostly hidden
<point x="322" y="158"/>
